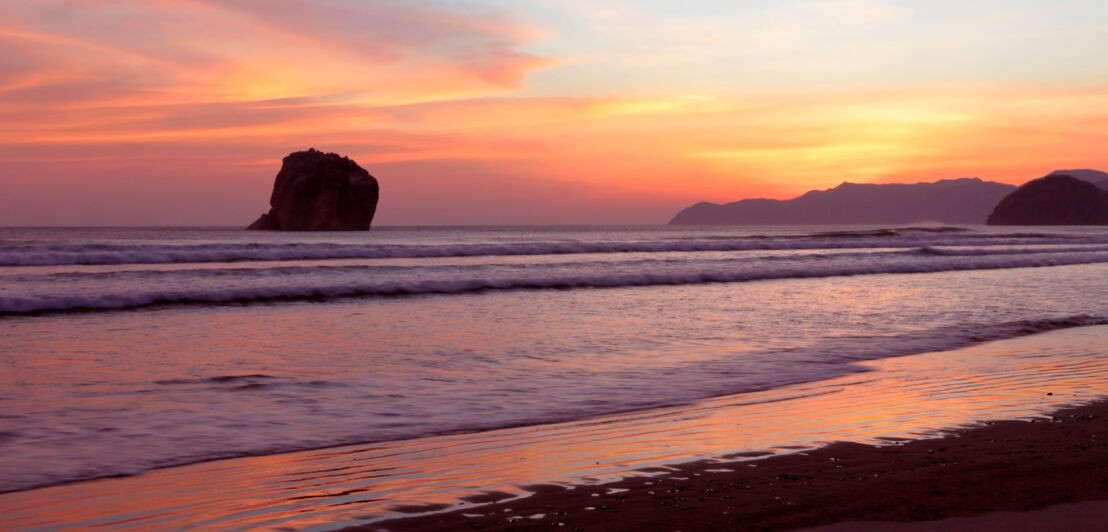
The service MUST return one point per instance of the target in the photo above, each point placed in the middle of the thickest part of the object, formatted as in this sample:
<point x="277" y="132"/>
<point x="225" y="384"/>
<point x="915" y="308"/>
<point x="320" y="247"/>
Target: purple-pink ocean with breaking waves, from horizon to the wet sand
<point x="130" y="350"/>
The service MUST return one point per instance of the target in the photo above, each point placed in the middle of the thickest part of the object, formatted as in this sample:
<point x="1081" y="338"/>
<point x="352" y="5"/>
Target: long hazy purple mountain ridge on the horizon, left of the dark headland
<point x="965" y="201"/>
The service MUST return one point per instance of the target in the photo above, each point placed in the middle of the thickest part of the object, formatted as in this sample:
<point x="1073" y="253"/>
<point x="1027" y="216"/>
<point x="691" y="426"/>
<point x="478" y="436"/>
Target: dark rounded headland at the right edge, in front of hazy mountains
<point x="1055" y="200"/>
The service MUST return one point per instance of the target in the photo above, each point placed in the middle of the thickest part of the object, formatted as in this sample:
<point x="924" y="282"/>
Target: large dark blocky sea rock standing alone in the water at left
<point x="317" y="191"/>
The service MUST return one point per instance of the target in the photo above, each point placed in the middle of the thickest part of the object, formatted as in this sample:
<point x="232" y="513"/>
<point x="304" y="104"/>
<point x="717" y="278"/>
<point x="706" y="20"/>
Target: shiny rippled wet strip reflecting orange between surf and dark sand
<point x="909" y="397"/>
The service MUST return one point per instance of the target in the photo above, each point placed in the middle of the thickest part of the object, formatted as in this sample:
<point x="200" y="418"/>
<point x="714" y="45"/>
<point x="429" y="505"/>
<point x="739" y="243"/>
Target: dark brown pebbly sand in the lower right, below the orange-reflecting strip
<point x="1006" y="466"/>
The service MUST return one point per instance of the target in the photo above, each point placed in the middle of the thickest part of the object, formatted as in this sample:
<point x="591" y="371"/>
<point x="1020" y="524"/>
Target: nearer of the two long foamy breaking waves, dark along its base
<point x="200" y="287"/>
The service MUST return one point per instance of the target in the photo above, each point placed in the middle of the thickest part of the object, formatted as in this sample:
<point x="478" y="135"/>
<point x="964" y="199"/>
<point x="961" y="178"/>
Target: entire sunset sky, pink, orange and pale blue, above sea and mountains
<point x="179" y="112"/>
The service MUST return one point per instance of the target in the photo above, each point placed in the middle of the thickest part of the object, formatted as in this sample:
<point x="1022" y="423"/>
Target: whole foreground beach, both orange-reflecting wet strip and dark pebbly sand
<point x="794" y="483"/>
